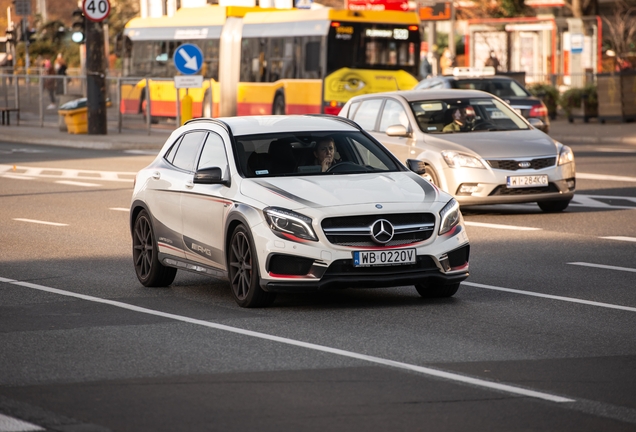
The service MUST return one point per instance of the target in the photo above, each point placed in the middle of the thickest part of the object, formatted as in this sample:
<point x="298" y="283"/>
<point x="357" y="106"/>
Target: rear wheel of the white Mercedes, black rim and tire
<point x="149" y="270"/>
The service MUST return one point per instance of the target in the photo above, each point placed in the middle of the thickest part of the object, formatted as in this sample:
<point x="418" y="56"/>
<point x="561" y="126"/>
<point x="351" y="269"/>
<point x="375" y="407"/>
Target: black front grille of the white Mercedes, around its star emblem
<point x="355" y="231"/>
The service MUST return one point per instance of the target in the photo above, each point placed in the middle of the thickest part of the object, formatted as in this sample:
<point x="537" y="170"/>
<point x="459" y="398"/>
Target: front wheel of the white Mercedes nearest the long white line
<point x="243" y="271"/>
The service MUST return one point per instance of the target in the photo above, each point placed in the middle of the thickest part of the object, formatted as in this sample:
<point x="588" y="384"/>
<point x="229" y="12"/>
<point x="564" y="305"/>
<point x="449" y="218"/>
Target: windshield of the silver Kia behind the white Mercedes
<point x="465" y="115"/>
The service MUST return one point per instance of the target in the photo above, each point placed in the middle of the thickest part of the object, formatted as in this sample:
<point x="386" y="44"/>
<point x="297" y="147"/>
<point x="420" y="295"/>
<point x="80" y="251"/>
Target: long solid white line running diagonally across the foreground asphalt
<point x="350" y="354"/>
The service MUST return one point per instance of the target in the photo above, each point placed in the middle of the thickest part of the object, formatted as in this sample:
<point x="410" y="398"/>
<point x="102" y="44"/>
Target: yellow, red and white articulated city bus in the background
<point x="264" y="61"/>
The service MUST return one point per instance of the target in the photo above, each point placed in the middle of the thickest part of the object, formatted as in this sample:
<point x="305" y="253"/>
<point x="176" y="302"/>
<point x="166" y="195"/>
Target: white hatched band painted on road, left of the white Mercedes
<point x="69" y="174"/>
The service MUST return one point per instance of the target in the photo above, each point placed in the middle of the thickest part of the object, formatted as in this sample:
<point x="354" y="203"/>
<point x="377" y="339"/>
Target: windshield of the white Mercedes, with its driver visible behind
<point x="311" y="153"/>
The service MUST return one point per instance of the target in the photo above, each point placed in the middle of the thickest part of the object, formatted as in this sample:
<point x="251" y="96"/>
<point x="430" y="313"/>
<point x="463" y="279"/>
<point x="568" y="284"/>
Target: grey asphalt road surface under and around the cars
<point x="540" y="337"/>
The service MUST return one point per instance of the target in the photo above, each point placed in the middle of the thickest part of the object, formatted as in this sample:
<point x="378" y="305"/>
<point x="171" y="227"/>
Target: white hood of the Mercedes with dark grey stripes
<point x="338" y="190"/>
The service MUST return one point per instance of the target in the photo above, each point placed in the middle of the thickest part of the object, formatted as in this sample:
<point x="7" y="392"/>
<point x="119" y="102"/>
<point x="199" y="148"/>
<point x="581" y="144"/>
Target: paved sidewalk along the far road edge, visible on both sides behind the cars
<point x="138" y="139"/>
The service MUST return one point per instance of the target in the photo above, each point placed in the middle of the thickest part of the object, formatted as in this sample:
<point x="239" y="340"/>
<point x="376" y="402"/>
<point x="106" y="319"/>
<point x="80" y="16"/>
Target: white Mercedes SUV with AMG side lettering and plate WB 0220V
<point x="244" y="198"/>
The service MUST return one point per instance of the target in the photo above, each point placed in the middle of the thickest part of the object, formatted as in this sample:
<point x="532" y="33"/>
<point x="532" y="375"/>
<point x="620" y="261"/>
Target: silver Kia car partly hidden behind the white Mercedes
<point x="473" y="145"/>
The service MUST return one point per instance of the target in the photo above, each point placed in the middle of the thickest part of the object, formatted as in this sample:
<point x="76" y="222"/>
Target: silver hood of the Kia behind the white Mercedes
<point x="496" y="144"/>
